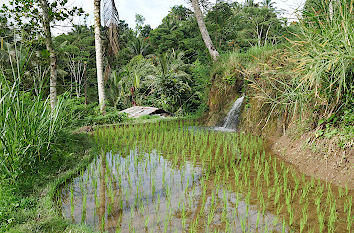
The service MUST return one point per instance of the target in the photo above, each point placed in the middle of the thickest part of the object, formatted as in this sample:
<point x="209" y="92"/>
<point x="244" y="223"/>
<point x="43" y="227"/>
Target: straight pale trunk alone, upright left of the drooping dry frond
<point x="99" y="55"/>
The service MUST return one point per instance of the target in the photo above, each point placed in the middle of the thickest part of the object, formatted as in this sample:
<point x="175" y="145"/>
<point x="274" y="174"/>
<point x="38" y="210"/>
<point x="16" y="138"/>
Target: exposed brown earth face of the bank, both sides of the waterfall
<point x="320" y="158"/>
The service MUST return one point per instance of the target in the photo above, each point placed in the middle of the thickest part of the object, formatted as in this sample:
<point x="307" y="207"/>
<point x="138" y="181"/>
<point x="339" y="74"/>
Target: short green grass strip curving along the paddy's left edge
<point x="36" y="210"/>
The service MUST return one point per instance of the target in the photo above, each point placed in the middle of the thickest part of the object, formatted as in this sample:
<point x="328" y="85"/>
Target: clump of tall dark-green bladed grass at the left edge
<point x="28" y="126"/>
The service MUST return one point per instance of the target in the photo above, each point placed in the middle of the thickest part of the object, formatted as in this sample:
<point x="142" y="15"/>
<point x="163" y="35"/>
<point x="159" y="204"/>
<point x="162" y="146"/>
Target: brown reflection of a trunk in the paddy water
<point x="114" y="219"/>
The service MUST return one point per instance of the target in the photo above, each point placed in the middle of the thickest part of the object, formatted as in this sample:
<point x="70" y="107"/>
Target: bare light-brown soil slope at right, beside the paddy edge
<point x="337" y="169"/>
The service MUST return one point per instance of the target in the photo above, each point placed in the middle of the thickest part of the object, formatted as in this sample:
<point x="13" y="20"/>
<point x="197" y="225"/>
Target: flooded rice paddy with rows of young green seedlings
<point x="165" y="177"/>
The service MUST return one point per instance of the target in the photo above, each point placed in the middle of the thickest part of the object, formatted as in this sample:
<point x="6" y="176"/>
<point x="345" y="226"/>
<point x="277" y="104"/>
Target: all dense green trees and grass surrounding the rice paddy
<point x="303" y="69"/>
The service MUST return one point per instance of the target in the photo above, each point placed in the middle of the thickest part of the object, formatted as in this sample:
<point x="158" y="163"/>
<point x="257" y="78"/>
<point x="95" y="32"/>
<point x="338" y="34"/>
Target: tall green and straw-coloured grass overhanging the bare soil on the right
<point x="312" y="78"/>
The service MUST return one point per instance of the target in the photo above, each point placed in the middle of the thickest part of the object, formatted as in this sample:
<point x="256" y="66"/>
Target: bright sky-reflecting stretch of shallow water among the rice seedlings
<point x="142" y="192"/>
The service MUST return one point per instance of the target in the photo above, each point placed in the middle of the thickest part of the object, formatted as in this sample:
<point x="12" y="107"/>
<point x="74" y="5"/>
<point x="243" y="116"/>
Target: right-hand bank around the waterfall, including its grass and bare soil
<point x="300" y="92"/>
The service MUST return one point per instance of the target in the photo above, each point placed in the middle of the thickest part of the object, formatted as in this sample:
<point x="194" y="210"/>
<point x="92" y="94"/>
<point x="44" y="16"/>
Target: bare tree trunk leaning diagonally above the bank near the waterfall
<point x="204" y="31"/>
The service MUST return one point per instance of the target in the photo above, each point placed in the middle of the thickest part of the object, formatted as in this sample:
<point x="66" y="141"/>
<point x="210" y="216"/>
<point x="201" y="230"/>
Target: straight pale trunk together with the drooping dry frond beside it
<point x="111" y="19"/>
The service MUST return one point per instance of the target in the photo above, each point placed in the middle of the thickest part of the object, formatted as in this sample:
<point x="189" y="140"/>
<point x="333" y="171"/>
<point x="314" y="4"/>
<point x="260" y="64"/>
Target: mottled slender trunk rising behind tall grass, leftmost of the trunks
<point x="52" y="55"/>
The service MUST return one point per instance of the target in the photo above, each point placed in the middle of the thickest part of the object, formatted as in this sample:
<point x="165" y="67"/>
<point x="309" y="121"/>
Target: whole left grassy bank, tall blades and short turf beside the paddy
<point x="37" y="148"/>
